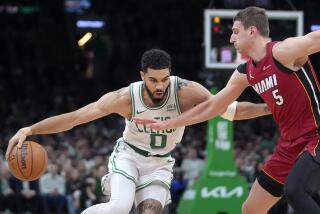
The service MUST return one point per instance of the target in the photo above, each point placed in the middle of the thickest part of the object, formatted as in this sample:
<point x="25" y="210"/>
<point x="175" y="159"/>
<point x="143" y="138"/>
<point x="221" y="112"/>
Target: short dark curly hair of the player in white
<point x="155" y="59"/>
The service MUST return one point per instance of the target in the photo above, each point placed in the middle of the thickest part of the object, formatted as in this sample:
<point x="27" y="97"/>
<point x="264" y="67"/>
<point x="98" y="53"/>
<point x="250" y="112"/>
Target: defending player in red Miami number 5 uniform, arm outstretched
<point x="280" y="72"/>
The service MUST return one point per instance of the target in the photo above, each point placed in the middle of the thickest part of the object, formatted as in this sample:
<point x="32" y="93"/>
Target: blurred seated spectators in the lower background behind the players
<point x="78" y="160"/>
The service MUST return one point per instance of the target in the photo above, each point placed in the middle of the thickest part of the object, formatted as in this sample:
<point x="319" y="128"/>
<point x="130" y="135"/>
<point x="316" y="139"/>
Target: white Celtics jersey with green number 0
<point x="155" y="142"/>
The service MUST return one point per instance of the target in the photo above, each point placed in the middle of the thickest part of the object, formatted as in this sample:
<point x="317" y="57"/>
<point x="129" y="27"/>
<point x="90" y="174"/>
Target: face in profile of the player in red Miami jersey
<point x="241" y="38"/>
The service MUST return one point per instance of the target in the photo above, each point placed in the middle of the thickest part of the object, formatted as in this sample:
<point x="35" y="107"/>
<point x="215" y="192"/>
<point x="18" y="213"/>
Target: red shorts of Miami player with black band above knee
<point x="276" y="170"/>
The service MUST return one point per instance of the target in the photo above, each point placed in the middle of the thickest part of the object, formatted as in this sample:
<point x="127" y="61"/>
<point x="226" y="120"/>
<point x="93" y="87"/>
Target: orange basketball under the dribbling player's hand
<point x="29" y="162"/>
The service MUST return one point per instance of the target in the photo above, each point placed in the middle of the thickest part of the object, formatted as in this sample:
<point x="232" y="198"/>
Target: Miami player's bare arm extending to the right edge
<point x="293" y="52"/>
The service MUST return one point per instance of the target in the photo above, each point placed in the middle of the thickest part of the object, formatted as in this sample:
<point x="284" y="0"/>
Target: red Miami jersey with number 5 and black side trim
<point x="292" y="96"/>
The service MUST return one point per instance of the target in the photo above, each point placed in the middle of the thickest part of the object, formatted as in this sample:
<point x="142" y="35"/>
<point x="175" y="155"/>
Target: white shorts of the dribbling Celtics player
<point x="143" y="171"/>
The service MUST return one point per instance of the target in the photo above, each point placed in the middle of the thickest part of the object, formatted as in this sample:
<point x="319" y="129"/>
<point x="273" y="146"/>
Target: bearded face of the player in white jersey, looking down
<point x="156" y="83"/>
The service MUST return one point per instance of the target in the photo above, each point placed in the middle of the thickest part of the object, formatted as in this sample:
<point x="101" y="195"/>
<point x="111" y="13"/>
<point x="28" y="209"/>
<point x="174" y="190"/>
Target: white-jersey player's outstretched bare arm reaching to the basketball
<point x="113" y="102"/>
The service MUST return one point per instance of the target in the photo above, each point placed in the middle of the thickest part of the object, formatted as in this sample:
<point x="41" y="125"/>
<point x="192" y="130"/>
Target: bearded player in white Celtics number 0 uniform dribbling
<point x="140" y="167"/>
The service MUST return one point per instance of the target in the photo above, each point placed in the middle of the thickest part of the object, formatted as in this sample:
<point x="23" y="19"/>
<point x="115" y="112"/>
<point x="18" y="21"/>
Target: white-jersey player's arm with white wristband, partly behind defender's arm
<point x="192" y="93"/>
